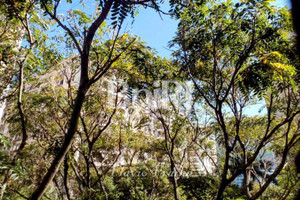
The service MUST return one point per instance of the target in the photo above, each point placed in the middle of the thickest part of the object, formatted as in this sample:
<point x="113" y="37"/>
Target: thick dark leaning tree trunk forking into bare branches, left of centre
<point x="119" y="8"/>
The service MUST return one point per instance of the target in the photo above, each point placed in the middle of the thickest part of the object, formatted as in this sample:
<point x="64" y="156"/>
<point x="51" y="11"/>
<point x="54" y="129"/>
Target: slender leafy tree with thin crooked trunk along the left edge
<point x="16" y="58"/>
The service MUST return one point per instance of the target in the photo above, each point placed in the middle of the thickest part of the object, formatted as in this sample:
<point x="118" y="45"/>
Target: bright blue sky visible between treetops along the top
<point x="154" y="29"/>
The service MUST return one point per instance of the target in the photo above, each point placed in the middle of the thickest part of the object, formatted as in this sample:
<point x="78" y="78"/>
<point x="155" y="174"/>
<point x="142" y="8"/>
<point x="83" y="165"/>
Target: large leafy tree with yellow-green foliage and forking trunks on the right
<point x="234" y="53"/>
